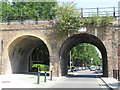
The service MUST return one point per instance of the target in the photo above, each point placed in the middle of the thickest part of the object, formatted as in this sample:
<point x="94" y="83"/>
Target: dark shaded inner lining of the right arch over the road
<point x="80" y="39"/>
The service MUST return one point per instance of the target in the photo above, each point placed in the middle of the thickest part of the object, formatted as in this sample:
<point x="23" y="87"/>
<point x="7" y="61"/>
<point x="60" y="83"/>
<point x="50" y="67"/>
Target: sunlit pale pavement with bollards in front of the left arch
<point x="25" y="81"/>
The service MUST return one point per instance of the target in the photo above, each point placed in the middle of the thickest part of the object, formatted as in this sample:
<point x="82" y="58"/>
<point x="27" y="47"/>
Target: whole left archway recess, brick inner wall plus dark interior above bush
<point x="23" y="52"/>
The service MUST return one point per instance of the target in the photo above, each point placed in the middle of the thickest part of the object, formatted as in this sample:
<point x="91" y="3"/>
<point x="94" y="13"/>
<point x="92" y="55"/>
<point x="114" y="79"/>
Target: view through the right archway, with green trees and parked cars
<point x="84" y="57"/>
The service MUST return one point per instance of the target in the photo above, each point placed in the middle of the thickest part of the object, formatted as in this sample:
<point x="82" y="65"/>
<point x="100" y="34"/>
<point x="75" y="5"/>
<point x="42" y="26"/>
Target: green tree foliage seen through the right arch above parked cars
<point x="84" y="53"/>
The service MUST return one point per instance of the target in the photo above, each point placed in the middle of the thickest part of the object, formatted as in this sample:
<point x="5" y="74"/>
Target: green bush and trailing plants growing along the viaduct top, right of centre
<point x="69" y="17"/>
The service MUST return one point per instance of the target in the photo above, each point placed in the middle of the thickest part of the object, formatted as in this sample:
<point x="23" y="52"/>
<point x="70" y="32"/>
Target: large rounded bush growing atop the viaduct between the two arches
<point x="68" y="17"/>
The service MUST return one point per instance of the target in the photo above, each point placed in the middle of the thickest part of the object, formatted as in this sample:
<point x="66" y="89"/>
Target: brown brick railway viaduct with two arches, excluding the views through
<point x="18" y="40"/>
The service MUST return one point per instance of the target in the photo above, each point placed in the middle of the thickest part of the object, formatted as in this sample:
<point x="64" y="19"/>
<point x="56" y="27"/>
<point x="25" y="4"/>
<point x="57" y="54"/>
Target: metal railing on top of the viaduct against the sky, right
<point x="111" y="11"/>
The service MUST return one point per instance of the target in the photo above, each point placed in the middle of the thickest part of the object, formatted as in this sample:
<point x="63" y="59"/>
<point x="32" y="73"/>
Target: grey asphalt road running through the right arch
<point x="80" y="79"/>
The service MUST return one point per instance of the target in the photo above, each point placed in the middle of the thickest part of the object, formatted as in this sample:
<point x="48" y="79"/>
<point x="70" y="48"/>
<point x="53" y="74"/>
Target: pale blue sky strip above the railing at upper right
<point x="93" y="3"/>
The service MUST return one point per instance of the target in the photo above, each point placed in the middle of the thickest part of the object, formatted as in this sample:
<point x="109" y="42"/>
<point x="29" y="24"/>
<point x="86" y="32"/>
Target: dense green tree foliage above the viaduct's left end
<point x="28" y="10"/>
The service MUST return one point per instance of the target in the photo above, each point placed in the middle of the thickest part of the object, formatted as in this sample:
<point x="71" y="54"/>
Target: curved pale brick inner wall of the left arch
<point x="19" y="51"/>
